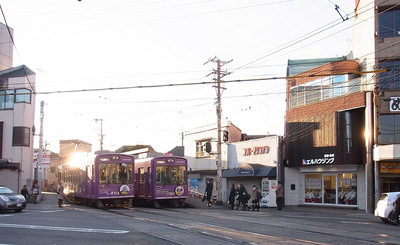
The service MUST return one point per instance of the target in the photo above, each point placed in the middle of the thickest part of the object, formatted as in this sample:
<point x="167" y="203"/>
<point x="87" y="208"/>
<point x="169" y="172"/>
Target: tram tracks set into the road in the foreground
<point x="220" y="228"/>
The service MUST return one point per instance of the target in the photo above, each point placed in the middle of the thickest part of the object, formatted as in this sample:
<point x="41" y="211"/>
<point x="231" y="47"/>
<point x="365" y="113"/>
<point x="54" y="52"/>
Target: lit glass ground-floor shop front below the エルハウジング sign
<point x="326" y="186"/>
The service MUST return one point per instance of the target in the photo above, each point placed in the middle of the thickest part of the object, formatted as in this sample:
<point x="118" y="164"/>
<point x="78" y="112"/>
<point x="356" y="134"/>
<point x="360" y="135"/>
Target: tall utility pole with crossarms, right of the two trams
<point x="219" y="74"/>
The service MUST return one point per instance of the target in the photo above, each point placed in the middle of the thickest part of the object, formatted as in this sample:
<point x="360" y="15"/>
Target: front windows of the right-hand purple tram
<point x="171" y="175"/>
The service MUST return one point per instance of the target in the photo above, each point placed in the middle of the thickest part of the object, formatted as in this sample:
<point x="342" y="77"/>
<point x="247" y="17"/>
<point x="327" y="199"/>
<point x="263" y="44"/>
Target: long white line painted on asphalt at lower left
<point x="55" y="228"/>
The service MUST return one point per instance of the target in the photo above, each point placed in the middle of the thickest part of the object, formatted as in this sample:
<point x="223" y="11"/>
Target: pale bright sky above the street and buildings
<point x="112" y="60"/>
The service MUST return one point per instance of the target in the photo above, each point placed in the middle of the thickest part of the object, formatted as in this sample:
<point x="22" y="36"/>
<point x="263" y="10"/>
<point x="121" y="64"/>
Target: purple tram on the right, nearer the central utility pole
<point x="161" y="181"/>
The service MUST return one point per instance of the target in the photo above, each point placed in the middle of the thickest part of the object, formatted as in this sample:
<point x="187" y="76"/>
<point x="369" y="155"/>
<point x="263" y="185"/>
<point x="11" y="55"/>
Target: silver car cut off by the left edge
<point x="9" y="200"/>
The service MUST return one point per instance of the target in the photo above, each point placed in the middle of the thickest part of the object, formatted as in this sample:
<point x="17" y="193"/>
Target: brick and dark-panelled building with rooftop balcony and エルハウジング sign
<point x="324" y="127"/>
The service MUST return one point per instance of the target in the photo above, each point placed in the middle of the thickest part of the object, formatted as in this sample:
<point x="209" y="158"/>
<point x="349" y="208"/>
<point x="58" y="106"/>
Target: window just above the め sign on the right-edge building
<point x="391" y="78"/>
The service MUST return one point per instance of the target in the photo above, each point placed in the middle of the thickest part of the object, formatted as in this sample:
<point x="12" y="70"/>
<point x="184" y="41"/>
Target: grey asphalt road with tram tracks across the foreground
<point x="45" y="223"/>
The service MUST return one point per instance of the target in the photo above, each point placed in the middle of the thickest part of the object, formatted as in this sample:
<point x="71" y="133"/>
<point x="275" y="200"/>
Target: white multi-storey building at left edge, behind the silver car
<point x="17" y="113"/>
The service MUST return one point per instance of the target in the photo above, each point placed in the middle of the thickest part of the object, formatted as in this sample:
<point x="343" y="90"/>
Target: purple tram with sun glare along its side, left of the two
<point x="108" y="180"/>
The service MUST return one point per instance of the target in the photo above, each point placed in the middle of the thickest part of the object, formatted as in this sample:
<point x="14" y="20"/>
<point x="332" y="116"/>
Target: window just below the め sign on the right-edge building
<point x="389" y="129"/>
